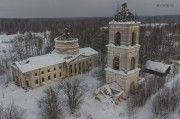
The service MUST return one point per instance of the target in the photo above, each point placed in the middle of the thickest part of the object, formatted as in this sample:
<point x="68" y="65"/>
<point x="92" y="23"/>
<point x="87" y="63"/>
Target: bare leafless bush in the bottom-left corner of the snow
<point x="13" y="112"/>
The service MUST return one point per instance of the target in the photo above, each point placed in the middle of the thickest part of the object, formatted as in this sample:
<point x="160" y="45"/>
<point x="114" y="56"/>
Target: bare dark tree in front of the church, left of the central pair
<point x="49" y="104"/>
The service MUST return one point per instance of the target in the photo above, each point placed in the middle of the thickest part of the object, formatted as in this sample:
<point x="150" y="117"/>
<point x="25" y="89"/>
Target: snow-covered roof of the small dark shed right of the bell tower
<point x="156" y="66"/>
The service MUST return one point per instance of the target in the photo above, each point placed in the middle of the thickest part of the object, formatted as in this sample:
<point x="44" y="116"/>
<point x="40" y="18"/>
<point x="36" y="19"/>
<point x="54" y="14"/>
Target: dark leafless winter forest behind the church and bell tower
<point x="158" y="43"/>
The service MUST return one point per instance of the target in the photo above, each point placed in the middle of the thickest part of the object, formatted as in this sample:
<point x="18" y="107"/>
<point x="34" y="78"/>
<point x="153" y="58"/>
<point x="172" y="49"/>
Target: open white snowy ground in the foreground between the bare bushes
<point x="89" y="108"/>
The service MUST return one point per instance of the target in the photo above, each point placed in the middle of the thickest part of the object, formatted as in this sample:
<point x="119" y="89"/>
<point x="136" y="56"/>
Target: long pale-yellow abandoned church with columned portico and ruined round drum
<point x="67" y="60"/>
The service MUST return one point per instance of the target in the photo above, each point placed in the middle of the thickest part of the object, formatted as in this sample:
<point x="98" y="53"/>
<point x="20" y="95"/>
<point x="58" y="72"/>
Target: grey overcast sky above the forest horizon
<point x="83" y="8"/>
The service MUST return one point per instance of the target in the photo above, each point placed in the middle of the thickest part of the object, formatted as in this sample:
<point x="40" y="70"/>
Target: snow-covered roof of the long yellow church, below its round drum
<point x="50" y="59"/>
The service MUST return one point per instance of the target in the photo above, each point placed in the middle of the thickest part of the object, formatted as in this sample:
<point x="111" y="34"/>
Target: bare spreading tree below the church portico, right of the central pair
<point x="74" y="92"/>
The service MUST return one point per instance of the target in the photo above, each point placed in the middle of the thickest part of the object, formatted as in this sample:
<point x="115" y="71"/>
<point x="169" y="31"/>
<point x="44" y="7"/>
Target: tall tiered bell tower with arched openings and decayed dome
<point x="123" y="51"/>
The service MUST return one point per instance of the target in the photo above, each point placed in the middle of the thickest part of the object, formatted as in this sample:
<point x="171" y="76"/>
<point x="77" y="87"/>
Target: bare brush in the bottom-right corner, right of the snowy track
<point x="166" y="102"/>
